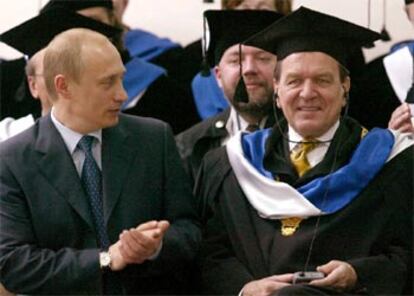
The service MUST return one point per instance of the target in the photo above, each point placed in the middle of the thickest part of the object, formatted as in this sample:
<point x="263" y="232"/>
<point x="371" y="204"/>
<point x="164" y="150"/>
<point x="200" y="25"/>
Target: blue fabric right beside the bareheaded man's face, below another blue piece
<point x="138" y="76"/>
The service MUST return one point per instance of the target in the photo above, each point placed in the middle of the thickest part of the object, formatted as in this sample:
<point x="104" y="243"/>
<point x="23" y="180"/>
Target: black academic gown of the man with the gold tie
<point x="373" y="233"/>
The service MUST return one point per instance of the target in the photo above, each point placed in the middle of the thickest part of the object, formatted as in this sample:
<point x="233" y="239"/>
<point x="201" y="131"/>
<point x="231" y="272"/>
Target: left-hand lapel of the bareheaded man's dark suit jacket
<point x="57" y="165"/>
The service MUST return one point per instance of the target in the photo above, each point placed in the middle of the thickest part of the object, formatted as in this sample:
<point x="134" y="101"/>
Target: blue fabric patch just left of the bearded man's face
<point x="208" y="96"/>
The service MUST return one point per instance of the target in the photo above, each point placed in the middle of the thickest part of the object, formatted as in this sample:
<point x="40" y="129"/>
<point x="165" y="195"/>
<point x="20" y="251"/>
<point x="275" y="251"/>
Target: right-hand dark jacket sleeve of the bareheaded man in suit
<point x="181" y="241"/>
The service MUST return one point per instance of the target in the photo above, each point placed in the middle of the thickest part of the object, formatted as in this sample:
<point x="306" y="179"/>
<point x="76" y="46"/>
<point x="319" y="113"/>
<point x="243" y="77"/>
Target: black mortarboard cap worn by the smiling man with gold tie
<point x="307" y="30"/>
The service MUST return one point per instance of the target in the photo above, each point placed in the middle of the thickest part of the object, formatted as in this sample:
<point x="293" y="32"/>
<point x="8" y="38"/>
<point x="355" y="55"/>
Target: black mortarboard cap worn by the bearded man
<point x="230" y="27"/>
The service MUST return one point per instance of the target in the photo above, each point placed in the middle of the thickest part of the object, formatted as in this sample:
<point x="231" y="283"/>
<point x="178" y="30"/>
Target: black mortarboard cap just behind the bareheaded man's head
<point x="36" y="33"/>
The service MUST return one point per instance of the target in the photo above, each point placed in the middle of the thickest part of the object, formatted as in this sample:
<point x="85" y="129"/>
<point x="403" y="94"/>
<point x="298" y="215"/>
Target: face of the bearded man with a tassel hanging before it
<point x="258" y="67"/>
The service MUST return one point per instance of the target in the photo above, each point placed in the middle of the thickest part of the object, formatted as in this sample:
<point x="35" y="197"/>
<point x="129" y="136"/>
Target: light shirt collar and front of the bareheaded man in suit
<point x="72" y="138"/>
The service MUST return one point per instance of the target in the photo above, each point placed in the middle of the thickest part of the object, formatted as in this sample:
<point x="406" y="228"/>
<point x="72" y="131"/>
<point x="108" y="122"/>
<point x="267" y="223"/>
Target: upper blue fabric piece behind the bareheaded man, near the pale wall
<point x="146" y="45"/>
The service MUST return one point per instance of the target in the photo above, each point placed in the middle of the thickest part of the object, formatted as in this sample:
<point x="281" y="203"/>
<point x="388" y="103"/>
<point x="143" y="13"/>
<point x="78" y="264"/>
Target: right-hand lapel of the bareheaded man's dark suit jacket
<point x="118" y="153"/>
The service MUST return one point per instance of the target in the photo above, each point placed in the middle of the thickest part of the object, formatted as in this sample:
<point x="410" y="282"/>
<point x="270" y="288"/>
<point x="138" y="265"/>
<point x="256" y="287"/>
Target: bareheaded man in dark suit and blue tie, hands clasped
<point x="91" y="201"/>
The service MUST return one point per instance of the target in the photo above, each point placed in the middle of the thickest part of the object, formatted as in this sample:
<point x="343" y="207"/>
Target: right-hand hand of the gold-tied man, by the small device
<point x="340" y="276"/>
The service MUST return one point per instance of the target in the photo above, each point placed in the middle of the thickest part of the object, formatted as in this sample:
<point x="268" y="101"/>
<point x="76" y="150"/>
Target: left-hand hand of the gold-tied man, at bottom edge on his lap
<point x="267" y="286"/>
